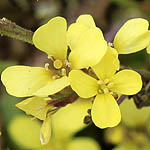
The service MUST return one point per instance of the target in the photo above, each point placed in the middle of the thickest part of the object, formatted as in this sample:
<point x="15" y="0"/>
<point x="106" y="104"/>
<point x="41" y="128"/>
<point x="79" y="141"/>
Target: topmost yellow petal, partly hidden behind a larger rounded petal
<point x="75" y="30"/>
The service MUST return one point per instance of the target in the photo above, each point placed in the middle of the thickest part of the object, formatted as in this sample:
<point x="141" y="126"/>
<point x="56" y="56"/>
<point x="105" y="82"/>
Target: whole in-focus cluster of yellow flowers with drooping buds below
<point x="80" y="58"/>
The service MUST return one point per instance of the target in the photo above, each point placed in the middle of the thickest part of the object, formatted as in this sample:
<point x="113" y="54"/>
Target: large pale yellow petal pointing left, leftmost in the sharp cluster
<point x="22" y="81"/>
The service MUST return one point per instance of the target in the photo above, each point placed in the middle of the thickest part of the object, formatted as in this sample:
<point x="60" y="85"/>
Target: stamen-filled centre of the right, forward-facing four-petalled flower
<point x="105" y="86"/>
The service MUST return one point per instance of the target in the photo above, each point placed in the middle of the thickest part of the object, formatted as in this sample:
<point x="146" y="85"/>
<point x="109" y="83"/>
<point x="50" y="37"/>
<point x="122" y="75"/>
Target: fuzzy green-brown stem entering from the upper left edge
<point x="10" y="29"/>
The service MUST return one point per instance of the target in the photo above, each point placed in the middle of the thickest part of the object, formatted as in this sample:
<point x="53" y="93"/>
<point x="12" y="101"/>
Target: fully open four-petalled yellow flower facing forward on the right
<point x="105" y="110"/>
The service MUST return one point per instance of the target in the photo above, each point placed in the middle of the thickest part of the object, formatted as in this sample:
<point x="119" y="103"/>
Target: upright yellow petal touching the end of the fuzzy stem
<point x="51" y="38"/>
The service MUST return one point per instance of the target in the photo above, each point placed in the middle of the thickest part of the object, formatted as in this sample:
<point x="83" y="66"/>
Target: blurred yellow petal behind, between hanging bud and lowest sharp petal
<point x="69" y="119"/>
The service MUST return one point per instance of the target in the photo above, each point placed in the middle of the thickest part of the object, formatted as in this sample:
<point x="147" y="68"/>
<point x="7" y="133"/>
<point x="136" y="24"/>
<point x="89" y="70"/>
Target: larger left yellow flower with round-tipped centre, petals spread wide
<point x="22" y="81"/>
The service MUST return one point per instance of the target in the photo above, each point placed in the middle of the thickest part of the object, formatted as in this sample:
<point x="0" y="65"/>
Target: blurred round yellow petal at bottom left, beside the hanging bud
<point x="25" y="132"/>
